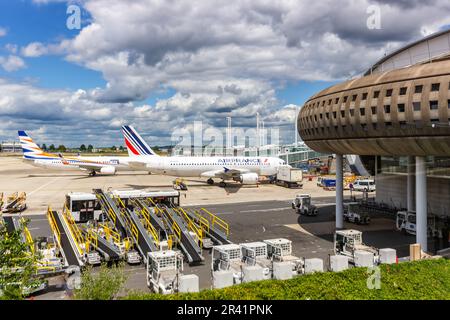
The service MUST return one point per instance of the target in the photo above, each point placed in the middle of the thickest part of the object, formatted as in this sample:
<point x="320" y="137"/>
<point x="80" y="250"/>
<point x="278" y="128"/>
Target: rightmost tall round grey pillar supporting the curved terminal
<point x="421" y="203"/>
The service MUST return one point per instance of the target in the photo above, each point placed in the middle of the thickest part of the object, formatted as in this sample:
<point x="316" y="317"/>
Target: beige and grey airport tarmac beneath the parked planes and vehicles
<point x="253" y="213"/>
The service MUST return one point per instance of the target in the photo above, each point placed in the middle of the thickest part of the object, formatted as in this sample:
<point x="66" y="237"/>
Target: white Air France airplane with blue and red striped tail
<point x="242" y="169"/>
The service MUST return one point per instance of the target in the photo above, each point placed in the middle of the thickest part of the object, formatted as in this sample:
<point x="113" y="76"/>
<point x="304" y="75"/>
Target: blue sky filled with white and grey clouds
<point x="161" y="64"/>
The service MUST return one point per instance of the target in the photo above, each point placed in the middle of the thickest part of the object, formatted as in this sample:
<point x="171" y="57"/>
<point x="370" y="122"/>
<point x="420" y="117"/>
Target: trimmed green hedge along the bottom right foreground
<point x="426" y="279"/>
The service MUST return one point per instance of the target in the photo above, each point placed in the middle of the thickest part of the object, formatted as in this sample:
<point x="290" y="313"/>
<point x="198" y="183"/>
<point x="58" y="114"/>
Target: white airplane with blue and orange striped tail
<point x="37" y="157"/>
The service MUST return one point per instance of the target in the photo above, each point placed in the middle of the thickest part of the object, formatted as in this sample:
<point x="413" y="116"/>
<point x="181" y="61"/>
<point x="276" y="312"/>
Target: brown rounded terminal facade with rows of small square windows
<point x="400" y="112"/>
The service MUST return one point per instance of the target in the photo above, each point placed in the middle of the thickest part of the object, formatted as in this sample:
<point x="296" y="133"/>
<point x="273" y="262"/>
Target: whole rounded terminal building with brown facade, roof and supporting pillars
<point x="396" y="117"/>
